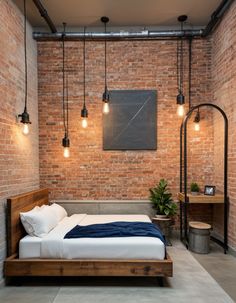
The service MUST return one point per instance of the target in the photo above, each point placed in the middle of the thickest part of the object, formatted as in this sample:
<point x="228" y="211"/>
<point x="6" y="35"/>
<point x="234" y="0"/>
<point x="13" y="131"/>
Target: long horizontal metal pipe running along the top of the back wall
<point x="118" y="35"/>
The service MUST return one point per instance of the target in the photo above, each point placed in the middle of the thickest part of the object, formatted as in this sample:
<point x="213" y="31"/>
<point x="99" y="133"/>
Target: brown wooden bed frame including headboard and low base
<point x="63" y="267"/>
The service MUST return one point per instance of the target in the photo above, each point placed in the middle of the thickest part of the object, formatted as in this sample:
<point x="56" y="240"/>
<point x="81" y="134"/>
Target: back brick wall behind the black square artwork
<point x="90" y="172"/>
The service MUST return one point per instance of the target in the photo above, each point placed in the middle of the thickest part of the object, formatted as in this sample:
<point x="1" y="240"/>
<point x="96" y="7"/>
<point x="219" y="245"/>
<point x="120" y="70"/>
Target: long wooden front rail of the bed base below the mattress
<point x="81" y="267"/>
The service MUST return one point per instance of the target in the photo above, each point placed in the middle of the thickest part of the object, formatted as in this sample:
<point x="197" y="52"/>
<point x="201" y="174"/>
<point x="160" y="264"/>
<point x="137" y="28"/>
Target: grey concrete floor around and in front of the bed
<point x="190" y="283"/>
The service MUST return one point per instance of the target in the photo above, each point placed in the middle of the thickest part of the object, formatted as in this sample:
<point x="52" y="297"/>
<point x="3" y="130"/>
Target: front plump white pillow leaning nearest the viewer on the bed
<point x="41" y="221"/>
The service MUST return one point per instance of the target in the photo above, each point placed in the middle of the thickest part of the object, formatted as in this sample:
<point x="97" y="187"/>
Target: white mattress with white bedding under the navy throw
<point x="55" y="246"/>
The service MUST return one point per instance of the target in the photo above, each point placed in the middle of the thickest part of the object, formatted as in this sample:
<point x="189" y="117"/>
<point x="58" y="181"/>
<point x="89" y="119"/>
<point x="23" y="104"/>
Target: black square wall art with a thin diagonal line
<point x="131" y="123"/>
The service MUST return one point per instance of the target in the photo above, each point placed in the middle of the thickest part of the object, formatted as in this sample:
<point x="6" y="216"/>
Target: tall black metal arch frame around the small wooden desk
<point x="183" y="185"/>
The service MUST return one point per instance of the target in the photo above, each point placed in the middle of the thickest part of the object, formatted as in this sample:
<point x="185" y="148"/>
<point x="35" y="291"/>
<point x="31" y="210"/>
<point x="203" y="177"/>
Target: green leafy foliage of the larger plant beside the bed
<point x="162" y="200"/>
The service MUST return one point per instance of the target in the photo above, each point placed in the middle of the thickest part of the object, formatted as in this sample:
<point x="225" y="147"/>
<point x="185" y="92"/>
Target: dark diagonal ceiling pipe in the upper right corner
<point x="217" y="16"/>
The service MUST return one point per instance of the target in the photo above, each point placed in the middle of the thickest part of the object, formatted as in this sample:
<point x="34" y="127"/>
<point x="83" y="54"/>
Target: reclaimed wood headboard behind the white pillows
<point x="15" y="205"/>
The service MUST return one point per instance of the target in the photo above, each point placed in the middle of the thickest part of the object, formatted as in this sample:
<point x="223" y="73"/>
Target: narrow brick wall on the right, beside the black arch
<point x="224" y="94"/>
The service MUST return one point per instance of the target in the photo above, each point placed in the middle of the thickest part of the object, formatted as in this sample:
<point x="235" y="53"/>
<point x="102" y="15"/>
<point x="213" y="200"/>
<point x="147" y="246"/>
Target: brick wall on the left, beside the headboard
<point x="19" y="162"/>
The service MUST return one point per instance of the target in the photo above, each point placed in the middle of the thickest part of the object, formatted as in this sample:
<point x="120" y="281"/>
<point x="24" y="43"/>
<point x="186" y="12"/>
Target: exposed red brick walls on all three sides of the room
<point x="91" y="172"/>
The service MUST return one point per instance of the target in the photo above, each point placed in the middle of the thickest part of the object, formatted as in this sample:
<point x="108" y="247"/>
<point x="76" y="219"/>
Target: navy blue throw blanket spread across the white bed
<point x="116" y="229"/>
